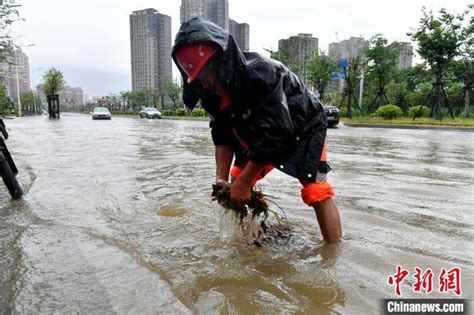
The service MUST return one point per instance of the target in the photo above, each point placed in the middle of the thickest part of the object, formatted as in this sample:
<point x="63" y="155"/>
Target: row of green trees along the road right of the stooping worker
<point x="444" y="80"/>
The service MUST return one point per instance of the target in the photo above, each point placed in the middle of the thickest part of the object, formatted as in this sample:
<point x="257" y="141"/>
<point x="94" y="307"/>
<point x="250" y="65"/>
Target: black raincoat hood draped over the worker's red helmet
<point x="200" y="30"/>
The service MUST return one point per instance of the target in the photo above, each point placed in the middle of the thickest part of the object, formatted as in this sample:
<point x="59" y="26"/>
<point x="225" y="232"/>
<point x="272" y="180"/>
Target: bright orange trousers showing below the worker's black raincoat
<point x="310" y="193"/>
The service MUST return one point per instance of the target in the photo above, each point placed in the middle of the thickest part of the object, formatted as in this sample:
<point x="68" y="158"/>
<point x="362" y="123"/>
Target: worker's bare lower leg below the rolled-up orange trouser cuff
<point x="329" y="220"/>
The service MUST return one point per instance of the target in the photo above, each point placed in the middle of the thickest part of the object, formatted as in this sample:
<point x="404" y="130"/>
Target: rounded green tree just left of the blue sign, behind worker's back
<point x="320" y="71"/>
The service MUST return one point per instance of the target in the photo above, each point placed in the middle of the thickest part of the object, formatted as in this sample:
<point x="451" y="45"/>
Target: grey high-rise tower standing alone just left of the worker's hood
<point x="150" y="38"/>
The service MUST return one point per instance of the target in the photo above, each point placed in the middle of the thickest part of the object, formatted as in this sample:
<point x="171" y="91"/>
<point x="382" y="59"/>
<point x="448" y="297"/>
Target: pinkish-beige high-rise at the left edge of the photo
<point x="15" y="72"/>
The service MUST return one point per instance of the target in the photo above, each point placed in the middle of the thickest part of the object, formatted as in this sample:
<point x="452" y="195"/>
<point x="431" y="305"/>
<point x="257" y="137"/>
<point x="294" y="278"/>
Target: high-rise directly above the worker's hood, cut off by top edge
<point x="216" y="11"/>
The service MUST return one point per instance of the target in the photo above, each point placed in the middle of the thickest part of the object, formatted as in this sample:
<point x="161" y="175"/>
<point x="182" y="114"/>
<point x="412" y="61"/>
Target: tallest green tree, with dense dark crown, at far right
<point x="439" y="40"/>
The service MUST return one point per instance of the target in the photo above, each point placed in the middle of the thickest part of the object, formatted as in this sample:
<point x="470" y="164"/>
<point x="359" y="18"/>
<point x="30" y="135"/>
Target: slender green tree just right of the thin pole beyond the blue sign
<point x="381" y="59"/>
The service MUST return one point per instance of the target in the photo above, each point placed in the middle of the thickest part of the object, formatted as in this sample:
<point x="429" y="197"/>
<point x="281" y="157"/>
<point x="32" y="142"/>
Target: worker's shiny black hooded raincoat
<point x="273" y="117"/>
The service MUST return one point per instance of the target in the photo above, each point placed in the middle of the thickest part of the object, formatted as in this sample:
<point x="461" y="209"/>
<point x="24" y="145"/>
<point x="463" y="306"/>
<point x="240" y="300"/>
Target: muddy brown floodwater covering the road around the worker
<point x="117" y="218"/>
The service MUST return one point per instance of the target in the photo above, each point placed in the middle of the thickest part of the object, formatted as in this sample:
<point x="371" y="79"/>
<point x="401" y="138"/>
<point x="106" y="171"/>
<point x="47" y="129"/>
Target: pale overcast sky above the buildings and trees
<point x="89" y="40"/>
